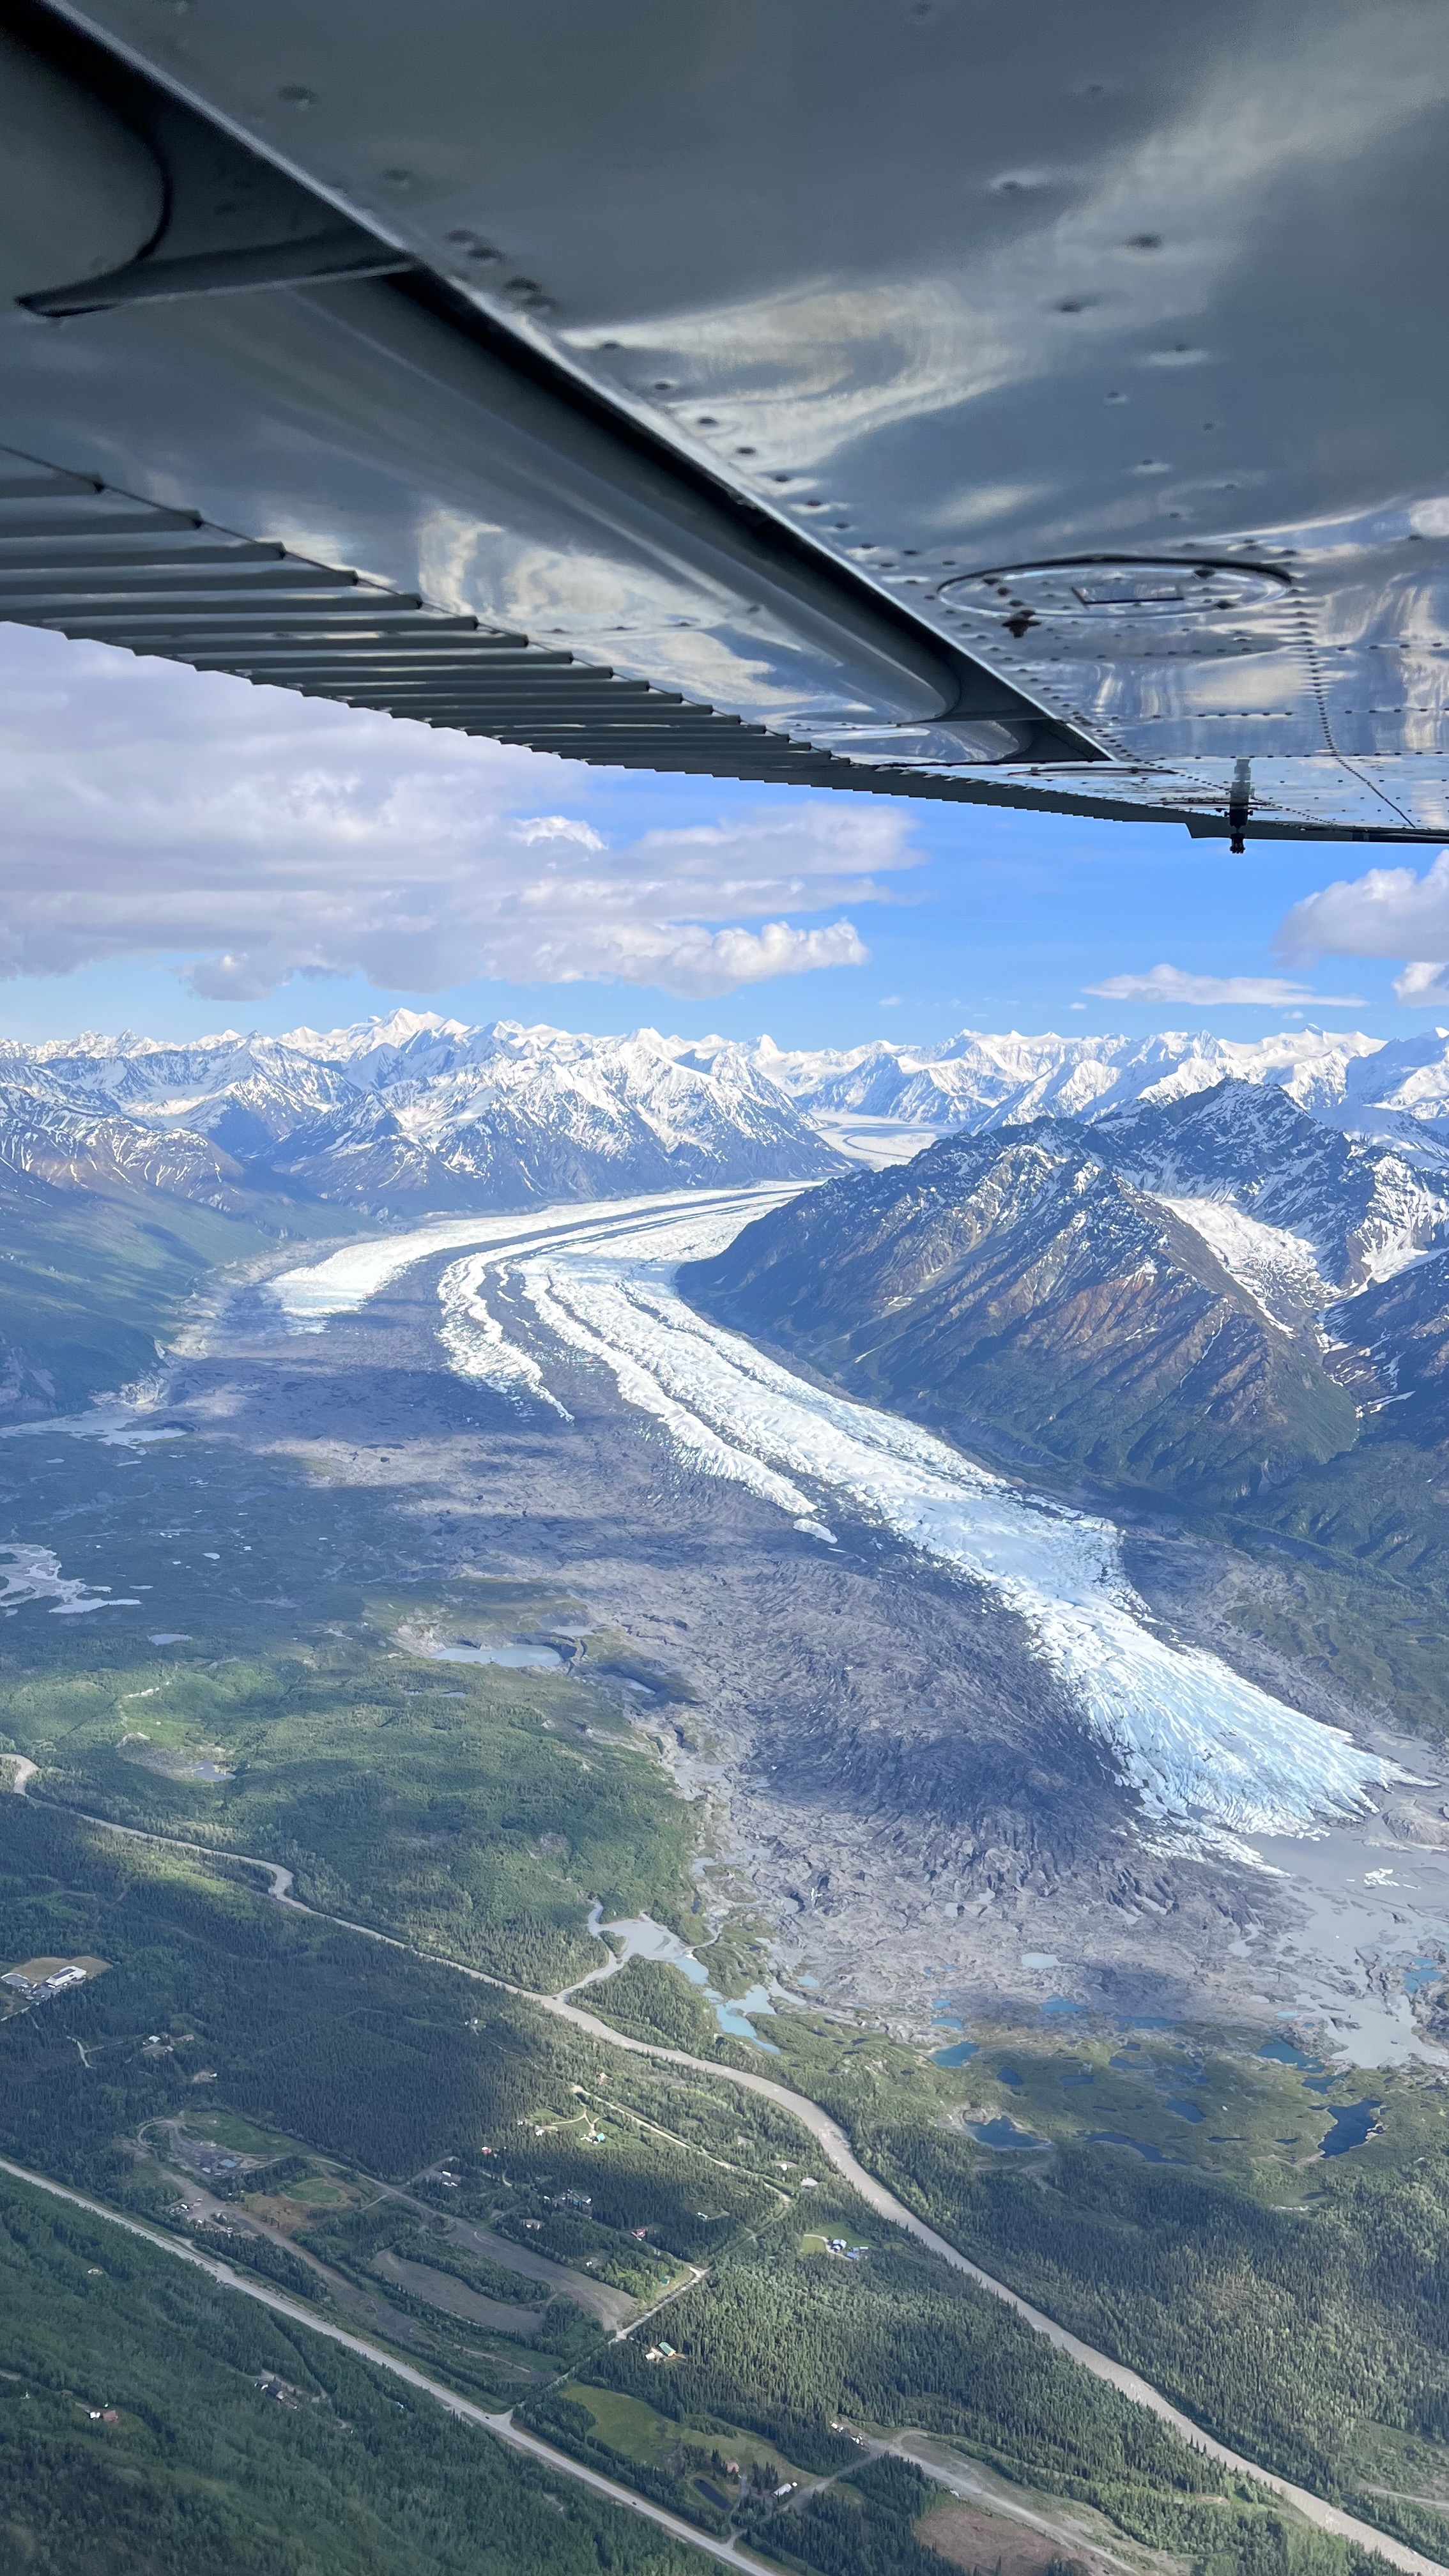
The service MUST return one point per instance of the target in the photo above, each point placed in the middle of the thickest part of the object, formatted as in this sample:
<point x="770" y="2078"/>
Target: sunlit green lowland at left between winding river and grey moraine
<point x="471" y="1810"/>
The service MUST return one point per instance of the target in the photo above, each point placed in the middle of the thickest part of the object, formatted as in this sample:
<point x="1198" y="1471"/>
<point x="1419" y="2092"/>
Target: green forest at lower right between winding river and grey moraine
<point x="1298" y="2307"/>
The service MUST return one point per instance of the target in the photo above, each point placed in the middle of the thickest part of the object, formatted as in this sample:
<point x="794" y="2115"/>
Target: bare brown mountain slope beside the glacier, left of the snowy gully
<point x="1020" y="1294"/>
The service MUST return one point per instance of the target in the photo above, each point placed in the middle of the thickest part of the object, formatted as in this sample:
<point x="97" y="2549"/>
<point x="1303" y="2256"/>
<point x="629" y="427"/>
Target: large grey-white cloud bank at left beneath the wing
<point x="259" y="836"/>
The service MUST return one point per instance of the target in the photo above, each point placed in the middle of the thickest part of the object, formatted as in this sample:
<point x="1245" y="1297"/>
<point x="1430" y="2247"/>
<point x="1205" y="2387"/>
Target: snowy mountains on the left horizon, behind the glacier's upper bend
<point x="411" y="1114"/>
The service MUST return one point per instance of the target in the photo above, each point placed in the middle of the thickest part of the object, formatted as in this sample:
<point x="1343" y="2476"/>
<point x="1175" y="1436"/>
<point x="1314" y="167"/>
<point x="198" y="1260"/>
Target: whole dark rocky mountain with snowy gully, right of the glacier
<point x="1154" y="1300"/>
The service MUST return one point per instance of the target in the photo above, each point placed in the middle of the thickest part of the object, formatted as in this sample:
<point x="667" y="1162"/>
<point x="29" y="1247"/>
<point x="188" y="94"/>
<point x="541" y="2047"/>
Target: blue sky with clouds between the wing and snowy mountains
<point x="306" y="864"/>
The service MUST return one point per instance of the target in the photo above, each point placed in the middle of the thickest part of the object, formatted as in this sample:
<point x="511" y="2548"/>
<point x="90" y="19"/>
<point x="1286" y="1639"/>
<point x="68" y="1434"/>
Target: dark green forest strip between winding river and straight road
<point x="295" y="2021"/>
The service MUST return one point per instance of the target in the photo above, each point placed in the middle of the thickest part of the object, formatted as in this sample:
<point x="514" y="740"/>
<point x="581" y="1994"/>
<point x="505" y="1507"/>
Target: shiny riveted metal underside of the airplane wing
<point x="1025" y="406"/>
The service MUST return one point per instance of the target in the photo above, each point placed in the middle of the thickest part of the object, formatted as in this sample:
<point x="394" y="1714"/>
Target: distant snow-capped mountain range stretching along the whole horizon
<point x="416" y="1112"/>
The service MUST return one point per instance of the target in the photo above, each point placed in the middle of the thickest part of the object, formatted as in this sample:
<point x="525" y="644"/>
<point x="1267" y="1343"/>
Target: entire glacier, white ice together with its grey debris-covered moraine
<point x="945" y="1756"/>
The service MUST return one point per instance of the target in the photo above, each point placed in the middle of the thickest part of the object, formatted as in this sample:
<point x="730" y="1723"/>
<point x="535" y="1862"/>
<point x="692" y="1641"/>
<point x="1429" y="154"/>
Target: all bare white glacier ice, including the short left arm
<point x="1211" y="1758"/>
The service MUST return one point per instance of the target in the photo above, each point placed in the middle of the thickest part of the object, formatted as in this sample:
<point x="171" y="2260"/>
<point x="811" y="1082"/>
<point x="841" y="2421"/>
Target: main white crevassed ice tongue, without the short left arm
<point x="1211" y="1756"/>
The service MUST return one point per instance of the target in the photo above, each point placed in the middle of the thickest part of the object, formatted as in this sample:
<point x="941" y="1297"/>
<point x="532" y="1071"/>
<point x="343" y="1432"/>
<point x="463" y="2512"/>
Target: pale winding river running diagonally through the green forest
<point x="837" y="2150"/>
